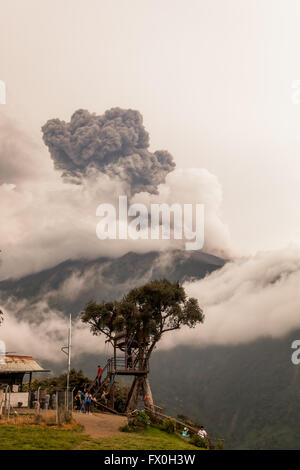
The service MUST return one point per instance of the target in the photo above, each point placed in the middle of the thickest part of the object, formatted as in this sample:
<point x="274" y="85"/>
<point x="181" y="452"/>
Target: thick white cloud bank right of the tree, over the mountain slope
<point x="247" y="299"/>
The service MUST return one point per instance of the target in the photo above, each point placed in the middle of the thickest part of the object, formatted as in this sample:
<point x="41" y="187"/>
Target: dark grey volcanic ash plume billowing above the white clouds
<point x="115" y="143"/>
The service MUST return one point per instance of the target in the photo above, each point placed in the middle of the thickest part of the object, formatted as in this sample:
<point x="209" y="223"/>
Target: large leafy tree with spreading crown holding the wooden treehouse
<point x="146" y="312"/>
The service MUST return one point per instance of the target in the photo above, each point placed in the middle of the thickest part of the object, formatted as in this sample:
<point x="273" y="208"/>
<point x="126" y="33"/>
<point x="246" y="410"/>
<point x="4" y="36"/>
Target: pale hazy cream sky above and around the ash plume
<point x="212" y="78"/>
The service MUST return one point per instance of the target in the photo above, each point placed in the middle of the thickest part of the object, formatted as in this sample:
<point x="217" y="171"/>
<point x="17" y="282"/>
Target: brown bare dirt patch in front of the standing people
<point x="100" y="424"/>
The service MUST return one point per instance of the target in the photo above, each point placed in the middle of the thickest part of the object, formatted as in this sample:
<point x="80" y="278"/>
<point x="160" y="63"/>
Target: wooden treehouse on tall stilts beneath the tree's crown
<point x="129" y="359"/>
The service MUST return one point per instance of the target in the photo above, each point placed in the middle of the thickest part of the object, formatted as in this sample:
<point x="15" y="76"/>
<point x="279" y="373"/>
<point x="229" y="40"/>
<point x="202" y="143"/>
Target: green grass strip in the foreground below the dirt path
<point x="38" y="438"/>
